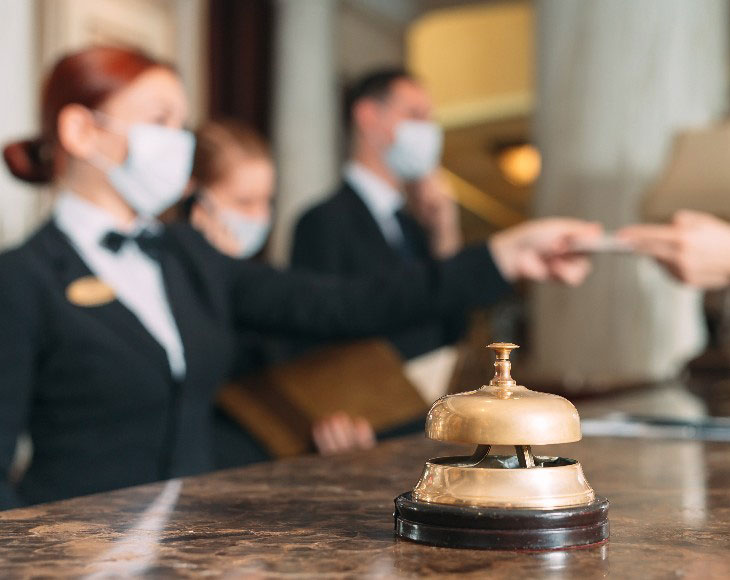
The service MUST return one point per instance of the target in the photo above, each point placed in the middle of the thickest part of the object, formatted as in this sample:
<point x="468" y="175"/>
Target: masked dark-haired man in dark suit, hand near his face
<point x="365" y="227"/>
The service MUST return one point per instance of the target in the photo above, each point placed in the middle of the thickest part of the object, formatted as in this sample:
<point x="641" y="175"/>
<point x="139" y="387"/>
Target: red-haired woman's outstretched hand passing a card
<point x="541" y="250"/>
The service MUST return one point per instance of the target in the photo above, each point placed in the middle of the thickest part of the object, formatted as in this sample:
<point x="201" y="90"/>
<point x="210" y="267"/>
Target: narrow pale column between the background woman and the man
<point x="306" y="111"/>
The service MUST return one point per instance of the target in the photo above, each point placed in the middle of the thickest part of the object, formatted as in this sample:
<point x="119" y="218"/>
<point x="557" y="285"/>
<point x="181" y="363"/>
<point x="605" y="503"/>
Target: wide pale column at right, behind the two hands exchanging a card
<point x="617" y="80"/>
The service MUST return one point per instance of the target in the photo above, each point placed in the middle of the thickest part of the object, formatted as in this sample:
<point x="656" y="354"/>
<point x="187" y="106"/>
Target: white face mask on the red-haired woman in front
<point x="157" y="167"/>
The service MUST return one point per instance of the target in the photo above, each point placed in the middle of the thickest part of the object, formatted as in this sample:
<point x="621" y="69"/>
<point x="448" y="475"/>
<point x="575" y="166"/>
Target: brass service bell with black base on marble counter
<point x="519" y="501"/>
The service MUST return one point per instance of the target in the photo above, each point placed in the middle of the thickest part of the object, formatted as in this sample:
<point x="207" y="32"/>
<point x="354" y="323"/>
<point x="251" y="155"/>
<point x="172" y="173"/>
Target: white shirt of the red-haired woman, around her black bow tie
<point x="133" y="275"/>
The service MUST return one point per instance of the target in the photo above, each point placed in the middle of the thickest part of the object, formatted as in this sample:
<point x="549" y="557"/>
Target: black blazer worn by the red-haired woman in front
<point x="94" y="389"/>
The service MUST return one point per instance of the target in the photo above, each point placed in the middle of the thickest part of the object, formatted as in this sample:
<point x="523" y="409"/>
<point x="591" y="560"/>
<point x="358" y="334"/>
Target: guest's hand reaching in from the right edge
<point x="695" y="247"/>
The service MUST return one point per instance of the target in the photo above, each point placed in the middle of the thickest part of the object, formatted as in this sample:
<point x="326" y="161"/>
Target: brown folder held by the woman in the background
<point x="279" y="405"/>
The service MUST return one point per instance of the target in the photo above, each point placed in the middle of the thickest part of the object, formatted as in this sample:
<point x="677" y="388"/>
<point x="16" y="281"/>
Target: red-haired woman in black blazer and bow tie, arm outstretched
<point x="116" y="331"/>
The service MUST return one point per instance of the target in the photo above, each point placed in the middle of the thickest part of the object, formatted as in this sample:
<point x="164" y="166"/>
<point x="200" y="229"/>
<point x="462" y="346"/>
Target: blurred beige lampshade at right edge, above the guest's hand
<point x="696" y="177"/>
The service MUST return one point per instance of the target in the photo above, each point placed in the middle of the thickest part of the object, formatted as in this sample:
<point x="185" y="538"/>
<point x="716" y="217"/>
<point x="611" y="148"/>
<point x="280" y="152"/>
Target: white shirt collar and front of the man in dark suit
<point x="381" y="198"/>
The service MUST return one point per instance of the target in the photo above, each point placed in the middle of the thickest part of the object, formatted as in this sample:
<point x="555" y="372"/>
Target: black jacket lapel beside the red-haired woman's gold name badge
<point x="69" y="267"/>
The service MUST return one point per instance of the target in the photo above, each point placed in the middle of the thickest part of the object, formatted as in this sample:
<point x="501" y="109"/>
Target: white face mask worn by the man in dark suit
<point x="416" y="150"/>
